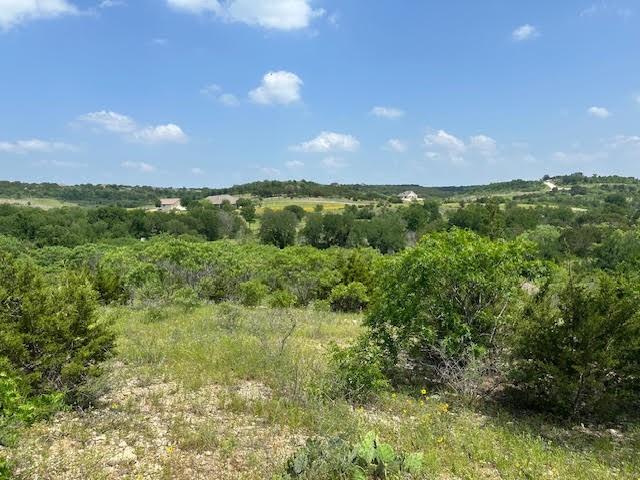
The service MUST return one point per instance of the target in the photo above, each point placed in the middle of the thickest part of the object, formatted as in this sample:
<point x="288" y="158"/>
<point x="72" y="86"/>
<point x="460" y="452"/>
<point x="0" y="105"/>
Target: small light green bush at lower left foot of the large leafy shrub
<point x="357" y="371"/>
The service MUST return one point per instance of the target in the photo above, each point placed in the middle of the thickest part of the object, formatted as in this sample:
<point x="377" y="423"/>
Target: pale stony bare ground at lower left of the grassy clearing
<point x="156" y="430"/>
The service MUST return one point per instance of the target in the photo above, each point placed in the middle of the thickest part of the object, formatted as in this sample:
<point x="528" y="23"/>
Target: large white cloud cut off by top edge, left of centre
<point x="269" y="14"/>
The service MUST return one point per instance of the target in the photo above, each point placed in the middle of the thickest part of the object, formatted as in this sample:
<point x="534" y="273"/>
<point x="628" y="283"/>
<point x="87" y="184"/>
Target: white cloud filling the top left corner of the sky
<point x="15" y="12"/>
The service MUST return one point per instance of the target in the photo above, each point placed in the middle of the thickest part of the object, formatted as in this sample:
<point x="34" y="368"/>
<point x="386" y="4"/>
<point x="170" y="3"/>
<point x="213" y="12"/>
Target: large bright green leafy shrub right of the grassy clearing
<point x="453" y="292"/>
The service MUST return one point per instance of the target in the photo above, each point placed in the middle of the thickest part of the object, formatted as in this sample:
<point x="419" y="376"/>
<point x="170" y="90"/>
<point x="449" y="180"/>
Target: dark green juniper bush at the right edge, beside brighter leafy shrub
<point x="577" y="349"/>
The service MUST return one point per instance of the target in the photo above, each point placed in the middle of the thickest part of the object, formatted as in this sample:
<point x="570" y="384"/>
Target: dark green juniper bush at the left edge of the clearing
<point x="50" y="338"/>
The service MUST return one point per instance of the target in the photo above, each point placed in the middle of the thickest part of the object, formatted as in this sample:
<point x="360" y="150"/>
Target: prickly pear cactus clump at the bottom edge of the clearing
<point x="335" y="458"/>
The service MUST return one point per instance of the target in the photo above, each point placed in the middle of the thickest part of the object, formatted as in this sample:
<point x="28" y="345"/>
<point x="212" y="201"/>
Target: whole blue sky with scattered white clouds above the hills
<point x="219" y="92"/>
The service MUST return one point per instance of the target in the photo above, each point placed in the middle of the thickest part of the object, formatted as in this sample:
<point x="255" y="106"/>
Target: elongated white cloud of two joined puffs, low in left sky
<point x="127" y="127"/>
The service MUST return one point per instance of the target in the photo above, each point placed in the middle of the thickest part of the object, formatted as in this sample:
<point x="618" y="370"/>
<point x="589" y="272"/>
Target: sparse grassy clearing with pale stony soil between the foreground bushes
<point x="228" y="392"/>
